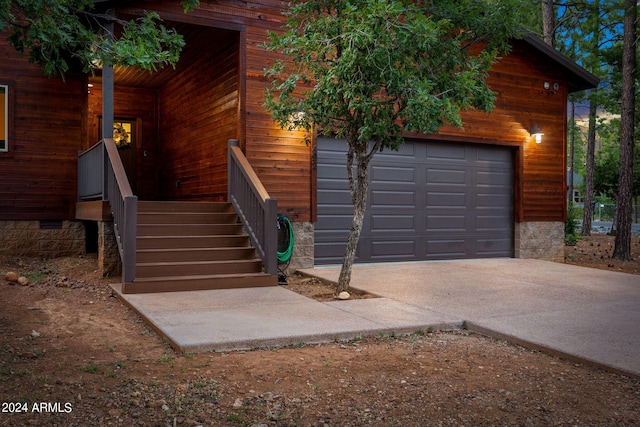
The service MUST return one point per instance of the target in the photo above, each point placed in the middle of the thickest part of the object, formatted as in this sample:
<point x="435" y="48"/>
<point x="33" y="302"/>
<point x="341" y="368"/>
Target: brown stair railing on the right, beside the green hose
<point x="257" y="211"/>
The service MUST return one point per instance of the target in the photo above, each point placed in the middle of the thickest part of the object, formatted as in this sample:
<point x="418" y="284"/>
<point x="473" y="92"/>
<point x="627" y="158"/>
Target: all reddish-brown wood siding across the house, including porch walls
<point x="186" y="122"/>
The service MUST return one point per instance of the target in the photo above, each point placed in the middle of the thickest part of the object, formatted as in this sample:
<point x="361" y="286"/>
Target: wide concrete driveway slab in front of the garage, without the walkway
<point x="588" y="314"/>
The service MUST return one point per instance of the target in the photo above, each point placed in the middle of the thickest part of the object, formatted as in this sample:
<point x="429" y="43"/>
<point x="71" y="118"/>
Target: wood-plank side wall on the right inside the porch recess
<point x="198" y="115"/>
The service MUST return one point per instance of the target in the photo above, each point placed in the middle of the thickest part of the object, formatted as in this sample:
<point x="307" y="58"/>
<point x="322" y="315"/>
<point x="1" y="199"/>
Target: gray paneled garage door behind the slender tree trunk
<point x="429" y="201"/>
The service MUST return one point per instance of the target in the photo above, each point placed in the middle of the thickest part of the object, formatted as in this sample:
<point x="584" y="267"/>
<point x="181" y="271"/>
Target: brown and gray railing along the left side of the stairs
<point x="102" y="175"/>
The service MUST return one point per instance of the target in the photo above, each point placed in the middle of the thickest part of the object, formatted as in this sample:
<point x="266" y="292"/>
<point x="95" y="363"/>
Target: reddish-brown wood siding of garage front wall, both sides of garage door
<point x="284" y="162"/>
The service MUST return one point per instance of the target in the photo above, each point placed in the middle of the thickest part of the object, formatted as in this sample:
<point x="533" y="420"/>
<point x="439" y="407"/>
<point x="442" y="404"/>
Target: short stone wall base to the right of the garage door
<point x="539" y="240"/>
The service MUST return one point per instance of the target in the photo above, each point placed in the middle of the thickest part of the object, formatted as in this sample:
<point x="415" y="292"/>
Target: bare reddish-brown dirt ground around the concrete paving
<point x="73" y="355"/>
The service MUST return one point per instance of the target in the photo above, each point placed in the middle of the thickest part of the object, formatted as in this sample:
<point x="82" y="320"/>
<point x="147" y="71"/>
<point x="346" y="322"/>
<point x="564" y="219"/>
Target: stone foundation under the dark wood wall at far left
<point x="29" y="238"/>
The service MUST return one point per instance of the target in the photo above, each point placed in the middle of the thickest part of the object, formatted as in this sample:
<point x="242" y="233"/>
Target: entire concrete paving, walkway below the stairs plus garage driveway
<point x="582" y="313"/>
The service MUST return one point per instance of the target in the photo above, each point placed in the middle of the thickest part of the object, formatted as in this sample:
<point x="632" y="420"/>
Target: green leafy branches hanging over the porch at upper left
<point x="59" y="35"/>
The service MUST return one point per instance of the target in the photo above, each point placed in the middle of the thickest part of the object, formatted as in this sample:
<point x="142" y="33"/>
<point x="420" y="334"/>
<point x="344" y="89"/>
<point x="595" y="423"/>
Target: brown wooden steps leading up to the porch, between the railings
<point x="187" y="246"/>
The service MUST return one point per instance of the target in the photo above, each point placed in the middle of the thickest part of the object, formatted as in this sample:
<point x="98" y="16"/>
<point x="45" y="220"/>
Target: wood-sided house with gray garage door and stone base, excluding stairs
<point x="488" y="190"/>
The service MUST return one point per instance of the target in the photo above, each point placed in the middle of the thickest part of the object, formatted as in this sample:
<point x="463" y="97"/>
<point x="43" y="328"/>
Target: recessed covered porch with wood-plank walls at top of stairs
<point x="172" y="126"/>
